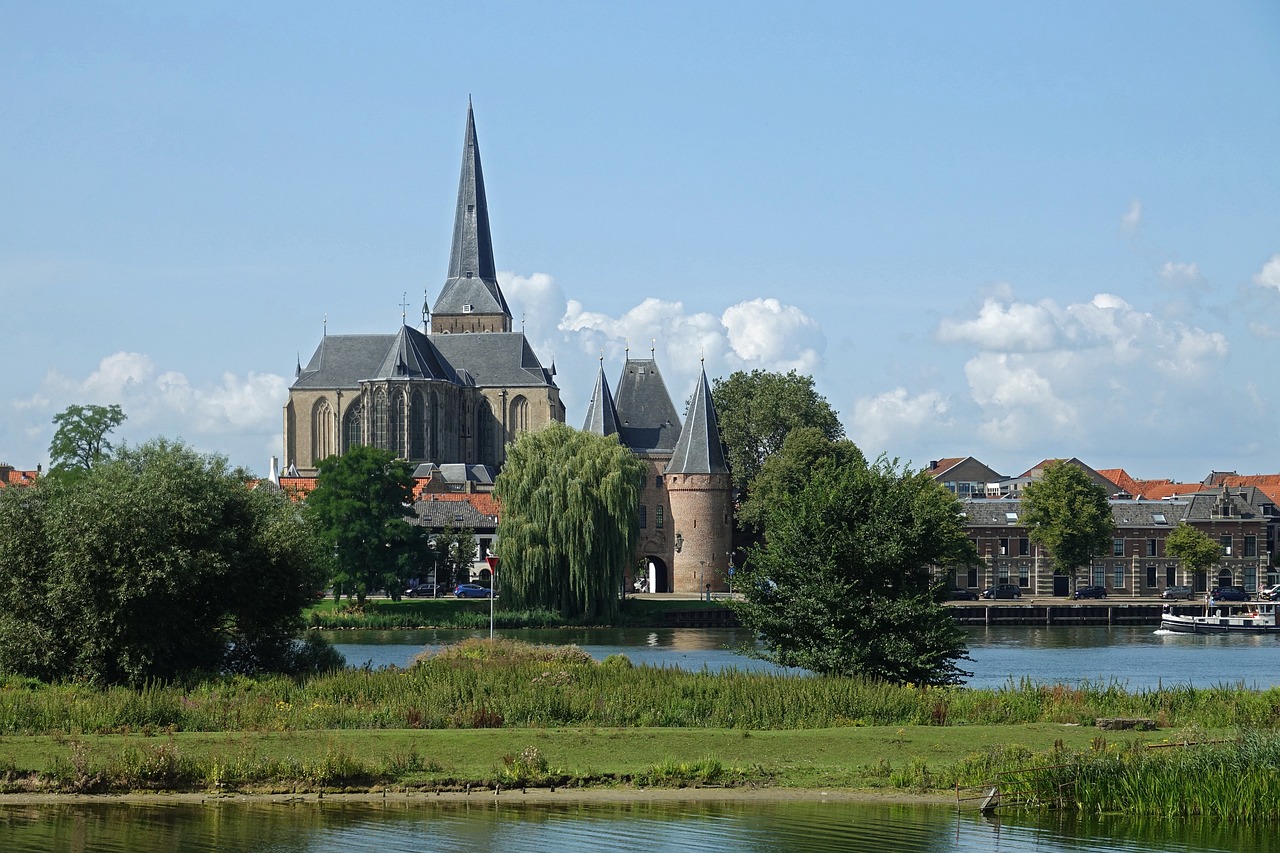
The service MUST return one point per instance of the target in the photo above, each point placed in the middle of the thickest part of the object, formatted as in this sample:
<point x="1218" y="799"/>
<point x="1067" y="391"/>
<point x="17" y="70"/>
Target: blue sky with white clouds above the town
<point x="1011" y="231"/>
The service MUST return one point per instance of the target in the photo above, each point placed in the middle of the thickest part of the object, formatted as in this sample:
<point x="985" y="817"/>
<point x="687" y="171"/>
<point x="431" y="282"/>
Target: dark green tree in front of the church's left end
<point x="360" y="508"/>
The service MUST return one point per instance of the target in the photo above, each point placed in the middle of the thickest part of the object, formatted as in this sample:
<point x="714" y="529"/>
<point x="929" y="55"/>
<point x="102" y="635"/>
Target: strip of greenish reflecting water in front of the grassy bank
<point x="591" y="827"/>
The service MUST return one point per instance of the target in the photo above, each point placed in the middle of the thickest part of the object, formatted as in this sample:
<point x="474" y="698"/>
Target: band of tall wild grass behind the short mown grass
<point x="505" y="683"/>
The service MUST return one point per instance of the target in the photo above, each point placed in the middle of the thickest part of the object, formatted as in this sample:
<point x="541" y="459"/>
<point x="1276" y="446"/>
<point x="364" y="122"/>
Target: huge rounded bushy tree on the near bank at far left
<point x="157" y="563"/>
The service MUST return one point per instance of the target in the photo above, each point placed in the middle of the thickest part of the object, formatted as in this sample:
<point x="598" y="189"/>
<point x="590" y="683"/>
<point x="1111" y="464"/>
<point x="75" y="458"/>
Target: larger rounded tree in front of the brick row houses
<point x="1069" y="514"/>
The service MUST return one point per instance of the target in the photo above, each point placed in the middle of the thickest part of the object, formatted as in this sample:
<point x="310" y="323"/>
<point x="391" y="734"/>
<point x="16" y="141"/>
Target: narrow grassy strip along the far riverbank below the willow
<point x="474" y="614"/>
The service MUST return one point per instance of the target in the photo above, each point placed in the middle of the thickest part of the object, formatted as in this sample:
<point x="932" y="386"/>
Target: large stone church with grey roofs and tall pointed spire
<point x="456" y="390"/>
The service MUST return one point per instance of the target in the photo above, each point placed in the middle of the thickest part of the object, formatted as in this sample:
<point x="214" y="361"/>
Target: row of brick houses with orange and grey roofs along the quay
<point x="1238" y="513"/>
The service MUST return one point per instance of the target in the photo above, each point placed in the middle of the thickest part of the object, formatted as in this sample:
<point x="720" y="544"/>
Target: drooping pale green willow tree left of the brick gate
<point x="569" y="522"/>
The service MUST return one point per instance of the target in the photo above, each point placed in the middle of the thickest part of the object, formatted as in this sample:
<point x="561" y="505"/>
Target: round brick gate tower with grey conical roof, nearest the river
<point x="700" y="490"/>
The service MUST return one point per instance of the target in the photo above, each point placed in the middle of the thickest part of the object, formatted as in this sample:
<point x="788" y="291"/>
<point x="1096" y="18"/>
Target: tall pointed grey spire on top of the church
<point x="472" y="288"/>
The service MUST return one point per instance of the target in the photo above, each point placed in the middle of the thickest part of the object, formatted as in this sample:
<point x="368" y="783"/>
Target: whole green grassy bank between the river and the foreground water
<point x="510" y="714"/>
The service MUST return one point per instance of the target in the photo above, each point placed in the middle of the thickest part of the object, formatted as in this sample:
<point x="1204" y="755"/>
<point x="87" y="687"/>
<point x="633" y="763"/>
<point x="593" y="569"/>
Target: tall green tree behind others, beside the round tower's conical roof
<point x="758" y="409"/>
